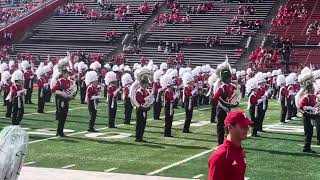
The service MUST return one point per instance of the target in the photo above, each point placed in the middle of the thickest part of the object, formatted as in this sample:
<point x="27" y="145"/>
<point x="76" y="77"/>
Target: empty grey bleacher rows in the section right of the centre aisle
<point x="212" y="23"/>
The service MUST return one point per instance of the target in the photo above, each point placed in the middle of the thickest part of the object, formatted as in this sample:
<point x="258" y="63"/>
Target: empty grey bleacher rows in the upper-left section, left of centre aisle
<point x="77" y="28"/>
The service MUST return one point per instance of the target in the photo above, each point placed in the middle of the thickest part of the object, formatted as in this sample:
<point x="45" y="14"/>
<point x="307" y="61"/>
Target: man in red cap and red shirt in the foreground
<point x="228" y="162"/>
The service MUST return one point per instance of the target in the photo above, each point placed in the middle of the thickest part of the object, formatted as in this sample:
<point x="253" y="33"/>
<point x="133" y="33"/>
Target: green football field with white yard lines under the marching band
<point x="276" y="154"/>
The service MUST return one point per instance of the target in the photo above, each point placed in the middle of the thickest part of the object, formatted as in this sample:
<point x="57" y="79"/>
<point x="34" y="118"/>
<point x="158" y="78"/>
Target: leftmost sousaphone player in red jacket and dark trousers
<point x="60" y="87"/>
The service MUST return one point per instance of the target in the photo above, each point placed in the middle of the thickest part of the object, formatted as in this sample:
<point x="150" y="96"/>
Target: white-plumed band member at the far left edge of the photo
<point x="5" y="87"/>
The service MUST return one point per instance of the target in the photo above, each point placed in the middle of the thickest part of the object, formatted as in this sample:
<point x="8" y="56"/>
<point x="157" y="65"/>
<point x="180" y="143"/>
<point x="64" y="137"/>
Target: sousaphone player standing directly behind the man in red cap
<point x="223" y="96"/>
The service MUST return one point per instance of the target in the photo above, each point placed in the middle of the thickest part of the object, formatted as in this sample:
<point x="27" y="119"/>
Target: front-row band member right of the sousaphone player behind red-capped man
<point x="253" y="102"/>
